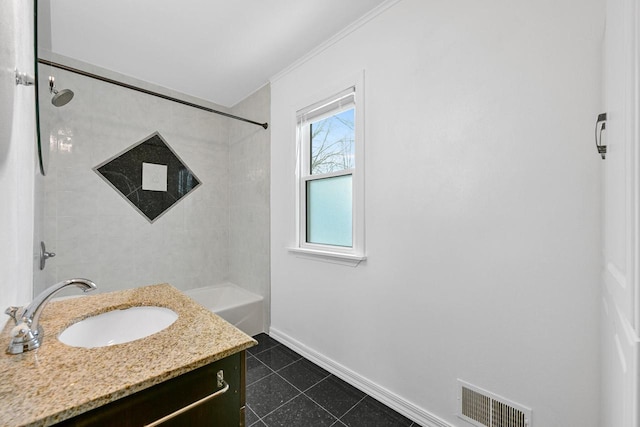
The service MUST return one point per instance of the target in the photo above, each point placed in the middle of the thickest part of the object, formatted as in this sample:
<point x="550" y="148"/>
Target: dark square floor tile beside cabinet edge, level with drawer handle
<point x="269" y="393"/>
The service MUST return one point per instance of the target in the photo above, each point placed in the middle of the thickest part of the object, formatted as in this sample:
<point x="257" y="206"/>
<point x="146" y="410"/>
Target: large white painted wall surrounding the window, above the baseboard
<point x="482" y="208"/>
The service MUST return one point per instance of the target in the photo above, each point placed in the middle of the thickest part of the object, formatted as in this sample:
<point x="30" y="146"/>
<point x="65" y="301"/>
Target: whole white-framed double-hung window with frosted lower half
<point x="330" y="193"/>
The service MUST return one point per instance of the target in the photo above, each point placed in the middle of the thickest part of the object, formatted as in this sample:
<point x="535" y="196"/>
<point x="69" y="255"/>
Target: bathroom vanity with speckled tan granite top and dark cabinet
<point x="191" y="373"/>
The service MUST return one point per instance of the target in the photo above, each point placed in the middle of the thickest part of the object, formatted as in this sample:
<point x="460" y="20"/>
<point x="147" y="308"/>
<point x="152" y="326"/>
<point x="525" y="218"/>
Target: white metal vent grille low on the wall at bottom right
<point x="484" y="409"/>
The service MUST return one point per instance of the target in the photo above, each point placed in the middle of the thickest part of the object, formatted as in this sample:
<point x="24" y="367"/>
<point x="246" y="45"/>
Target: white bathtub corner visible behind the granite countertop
<point x="236" y="305"/>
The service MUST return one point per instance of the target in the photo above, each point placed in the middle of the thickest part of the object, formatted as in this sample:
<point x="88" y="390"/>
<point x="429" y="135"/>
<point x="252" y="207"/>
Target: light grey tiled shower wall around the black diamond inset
<point x="94" y="232"/>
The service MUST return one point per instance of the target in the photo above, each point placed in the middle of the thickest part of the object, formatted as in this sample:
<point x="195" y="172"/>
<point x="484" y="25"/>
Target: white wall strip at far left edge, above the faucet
<point x="17" y="154"/>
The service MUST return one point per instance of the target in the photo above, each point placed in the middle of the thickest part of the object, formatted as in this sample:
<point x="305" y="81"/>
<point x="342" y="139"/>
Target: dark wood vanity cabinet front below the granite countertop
<point x="154" y="403"/>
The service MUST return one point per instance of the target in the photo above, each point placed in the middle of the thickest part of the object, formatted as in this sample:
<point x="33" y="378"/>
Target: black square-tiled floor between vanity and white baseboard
<point x="285" y="389"/>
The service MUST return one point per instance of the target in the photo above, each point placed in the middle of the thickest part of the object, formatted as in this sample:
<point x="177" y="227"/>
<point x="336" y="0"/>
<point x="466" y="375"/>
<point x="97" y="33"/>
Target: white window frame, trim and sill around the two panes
<point x="338" y="254"/>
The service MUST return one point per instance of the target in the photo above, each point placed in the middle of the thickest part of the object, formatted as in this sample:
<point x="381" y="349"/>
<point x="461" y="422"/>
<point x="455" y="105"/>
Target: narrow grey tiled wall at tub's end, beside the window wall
<point x="249" y="148"/>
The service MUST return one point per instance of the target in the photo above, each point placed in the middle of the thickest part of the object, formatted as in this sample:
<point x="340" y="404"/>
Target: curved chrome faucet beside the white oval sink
<point x="27" y="334"/>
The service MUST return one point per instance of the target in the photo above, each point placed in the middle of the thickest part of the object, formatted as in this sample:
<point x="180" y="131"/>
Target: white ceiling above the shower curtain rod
<point x="217" y="50"/>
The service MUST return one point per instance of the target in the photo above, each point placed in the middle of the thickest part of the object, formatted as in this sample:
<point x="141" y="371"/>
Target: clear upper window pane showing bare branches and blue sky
<point x="332" y="143"/>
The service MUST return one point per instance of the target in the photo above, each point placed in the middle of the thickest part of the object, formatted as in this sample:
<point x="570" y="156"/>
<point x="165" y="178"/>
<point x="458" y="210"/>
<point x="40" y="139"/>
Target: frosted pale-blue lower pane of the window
<point x="329" y="207"/>
